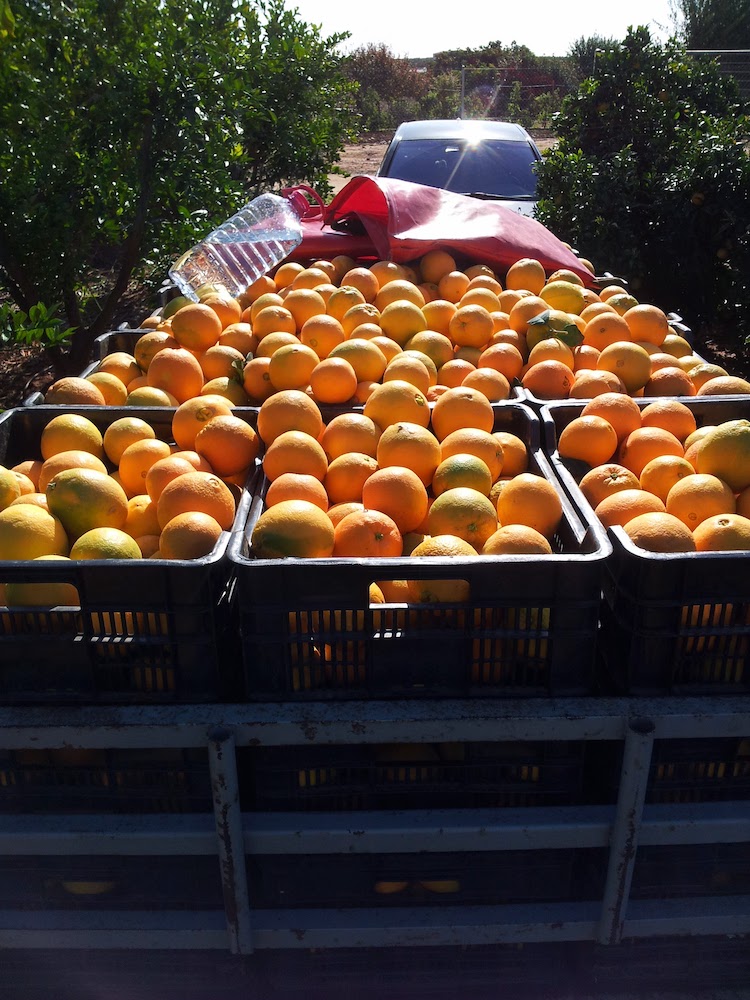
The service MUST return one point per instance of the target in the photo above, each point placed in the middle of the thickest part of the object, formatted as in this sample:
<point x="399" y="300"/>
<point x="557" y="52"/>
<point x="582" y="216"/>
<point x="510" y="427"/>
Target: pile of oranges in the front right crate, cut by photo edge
<point x="671" y="485"/>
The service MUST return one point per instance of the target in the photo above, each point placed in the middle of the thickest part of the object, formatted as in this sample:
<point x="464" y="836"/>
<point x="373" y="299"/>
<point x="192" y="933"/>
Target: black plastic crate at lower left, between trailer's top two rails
<point x="158" y="780"/>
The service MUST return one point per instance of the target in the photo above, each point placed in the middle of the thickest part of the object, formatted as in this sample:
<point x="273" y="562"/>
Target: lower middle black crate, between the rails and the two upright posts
<point x="414" y="776"/>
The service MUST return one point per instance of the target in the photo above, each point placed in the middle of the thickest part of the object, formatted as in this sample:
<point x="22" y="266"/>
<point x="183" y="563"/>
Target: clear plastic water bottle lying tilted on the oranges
<point x="244" y="247"/>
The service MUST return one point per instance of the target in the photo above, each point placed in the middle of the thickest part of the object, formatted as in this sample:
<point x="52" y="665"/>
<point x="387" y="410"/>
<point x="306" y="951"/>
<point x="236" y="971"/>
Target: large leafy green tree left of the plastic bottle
<point x="129" y="128"/>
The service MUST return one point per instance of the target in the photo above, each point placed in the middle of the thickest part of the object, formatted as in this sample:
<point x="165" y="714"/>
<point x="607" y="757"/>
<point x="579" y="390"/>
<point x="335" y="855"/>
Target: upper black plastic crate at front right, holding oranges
<point x="674" y="623"/>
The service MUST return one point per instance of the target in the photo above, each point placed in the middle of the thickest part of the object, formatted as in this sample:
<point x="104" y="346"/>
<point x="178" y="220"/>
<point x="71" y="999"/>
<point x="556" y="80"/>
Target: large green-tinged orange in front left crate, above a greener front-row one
<point x="86" y="498"/>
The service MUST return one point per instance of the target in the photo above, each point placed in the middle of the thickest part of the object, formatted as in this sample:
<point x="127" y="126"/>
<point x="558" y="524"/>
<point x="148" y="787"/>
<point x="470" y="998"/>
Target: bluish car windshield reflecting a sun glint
<point x="497" y="167"/>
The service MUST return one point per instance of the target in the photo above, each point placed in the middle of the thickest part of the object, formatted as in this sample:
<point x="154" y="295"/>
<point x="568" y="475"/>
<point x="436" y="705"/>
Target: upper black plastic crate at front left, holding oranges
<point x="145" y="631"/>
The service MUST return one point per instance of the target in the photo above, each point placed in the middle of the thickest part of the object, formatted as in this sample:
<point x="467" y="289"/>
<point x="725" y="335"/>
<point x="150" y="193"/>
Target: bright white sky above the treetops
<point x="548" y="27"/>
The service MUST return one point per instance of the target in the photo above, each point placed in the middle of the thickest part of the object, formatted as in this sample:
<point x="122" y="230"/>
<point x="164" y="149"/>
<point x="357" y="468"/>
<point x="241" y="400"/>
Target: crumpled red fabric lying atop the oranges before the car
<point x="402" y="221"/>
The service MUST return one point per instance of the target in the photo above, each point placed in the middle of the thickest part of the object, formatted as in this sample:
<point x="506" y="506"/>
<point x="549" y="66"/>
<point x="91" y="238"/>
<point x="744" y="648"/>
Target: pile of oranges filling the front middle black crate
<point x="399" y="478"/>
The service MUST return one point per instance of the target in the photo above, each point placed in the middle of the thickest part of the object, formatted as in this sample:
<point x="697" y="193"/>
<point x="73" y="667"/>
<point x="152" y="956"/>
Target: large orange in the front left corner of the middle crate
<point x="293" y="528"/>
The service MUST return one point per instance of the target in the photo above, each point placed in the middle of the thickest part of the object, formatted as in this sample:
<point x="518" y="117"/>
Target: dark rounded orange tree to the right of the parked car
<point x="651" y="179"/>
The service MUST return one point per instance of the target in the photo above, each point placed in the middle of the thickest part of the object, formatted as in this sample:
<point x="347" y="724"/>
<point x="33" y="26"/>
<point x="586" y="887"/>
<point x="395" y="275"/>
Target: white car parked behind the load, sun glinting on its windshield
<point x="485" y="159"/>
